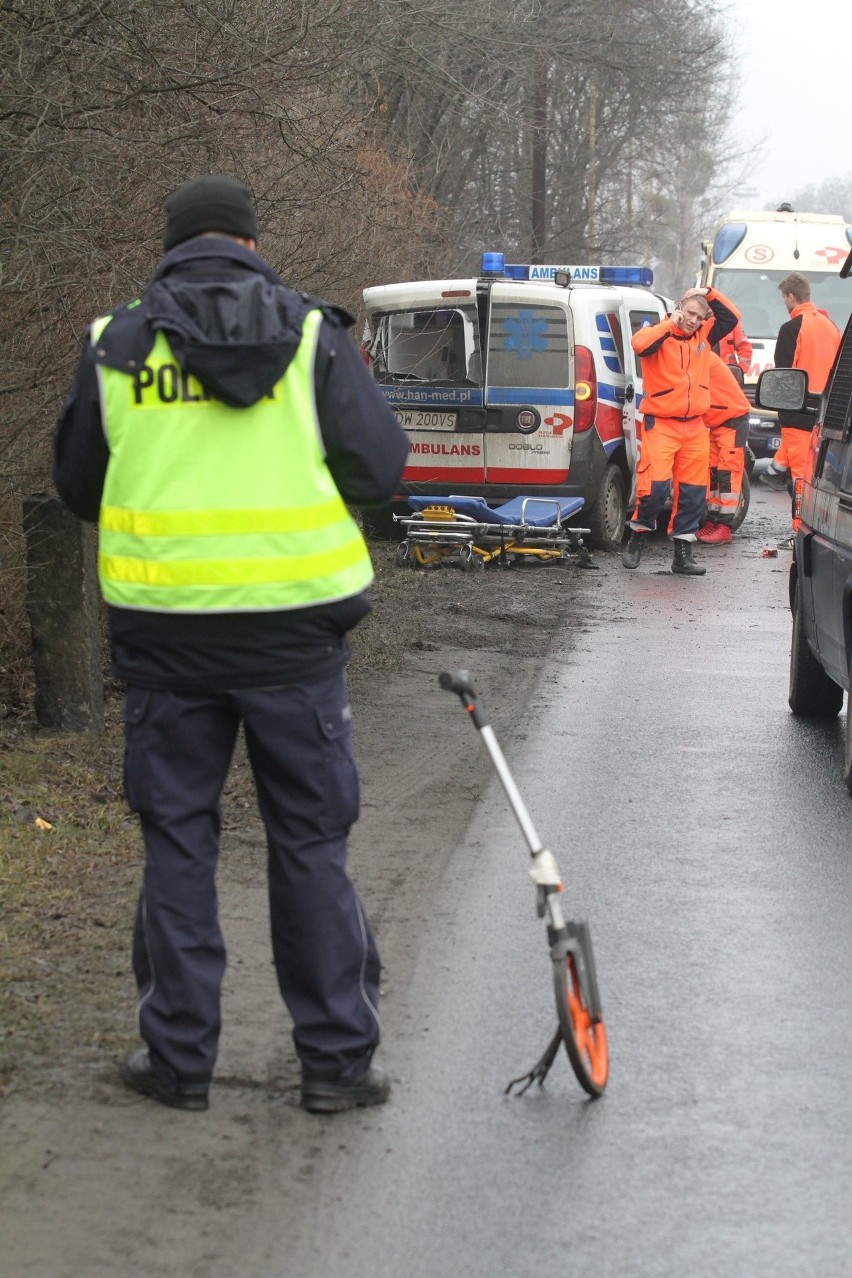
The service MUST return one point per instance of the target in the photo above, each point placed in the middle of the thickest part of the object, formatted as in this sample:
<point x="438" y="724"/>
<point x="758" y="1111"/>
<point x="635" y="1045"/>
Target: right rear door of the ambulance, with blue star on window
<point x="529" y="387"/>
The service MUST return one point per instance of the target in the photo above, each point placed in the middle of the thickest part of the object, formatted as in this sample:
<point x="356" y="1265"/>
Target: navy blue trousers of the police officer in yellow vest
<point x="178" y="751"/>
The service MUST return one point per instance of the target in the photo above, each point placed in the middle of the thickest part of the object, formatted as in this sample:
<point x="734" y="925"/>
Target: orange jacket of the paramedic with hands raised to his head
<point x="676" y="379"/>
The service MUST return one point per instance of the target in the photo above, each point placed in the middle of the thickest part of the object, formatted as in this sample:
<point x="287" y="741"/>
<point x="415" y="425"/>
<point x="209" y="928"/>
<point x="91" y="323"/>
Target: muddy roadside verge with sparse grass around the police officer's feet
<point x="95" y="1180"/>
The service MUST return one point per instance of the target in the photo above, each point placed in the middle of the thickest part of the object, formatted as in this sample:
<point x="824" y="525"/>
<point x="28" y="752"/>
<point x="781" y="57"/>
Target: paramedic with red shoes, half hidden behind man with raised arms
<point x="729" y="422"/>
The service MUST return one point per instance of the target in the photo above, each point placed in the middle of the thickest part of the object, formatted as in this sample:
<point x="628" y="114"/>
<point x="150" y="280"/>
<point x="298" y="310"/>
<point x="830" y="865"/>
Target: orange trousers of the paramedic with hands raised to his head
<point x="675" y="457"/>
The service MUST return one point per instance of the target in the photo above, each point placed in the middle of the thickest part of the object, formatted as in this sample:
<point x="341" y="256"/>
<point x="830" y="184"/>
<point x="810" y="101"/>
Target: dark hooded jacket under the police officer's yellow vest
<point x="234" y="325"/>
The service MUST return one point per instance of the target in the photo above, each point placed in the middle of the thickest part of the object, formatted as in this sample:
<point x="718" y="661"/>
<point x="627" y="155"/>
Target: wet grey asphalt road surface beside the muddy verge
<point x="706" y="835"/>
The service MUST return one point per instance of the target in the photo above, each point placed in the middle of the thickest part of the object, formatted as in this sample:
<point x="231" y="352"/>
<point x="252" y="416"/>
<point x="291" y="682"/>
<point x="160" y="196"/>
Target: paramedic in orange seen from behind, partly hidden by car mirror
<point x="808" y="341"/>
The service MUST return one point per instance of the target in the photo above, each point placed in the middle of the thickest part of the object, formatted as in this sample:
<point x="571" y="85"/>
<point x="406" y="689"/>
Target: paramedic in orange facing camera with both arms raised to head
<point x="675" y="448"/>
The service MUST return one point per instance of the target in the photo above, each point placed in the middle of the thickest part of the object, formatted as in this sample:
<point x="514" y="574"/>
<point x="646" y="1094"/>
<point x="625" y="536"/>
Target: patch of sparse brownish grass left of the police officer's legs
<point x="68" y="898"/>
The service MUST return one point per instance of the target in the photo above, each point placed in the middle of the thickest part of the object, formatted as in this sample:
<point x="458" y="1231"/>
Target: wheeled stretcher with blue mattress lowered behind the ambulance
<point x="471" y="531"/>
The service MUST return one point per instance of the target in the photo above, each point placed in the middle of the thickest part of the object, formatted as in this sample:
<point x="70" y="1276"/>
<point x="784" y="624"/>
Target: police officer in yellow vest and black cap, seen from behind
<point x="215" y="431"/>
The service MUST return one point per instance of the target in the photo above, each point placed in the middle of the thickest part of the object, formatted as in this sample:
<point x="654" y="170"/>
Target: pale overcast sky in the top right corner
<point x="796" y="94"/>
